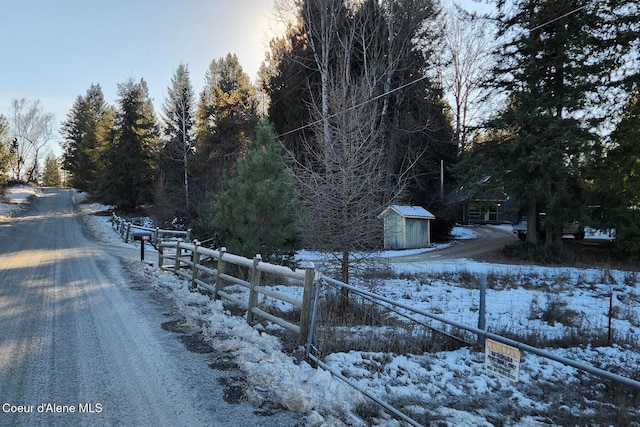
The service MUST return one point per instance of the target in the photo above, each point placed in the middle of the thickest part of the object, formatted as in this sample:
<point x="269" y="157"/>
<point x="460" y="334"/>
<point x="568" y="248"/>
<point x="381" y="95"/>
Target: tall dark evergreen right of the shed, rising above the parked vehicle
<point x="550" y="66"/>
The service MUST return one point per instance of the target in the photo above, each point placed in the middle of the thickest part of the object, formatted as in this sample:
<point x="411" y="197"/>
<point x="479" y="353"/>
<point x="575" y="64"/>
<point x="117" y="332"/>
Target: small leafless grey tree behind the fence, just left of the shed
<point x="345" y="184"/>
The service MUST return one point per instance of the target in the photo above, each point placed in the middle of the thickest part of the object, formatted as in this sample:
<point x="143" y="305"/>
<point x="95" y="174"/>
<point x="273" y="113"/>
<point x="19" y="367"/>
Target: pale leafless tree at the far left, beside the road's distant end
<point x="32" y="128"/>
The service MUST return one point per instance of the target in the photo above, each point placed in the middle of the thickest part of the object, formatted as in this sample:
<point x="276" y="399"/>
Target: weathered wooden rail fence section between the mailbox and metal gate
<point x="188" y="260"/>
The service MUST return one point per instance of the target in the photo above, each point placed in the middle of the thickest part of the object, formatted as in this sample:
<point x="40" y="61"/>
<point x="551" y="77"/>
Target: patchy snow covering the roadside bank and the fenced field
<point x="449" y="388"/>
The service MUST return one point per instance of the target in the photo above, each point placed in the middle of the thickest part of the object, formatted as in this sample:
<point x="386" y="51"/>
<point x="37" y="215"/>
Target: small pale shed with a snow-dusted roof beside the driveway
<point x="406" y="227"/>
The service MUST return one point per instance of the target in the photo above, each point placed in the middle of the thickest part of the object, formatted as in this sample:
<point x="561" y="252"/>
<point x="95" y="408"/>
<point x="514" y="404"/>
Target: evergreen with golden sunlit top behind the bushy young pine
<point x="226" y="119"/>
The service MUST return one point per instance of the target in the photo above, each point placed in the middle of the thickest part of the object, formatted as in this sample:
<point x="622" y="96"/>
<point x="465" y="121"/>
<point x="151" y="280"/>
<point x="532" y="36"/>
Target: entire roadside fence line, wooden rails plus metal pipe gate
<point x="195" y="263"/>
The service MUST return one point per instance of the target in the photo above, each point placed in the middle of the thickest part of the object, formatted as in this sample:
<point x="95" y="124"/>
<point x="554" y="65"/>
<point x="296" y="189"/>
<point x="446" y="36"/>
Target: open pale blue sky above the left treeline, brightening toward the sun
<point x="53" y="50"/>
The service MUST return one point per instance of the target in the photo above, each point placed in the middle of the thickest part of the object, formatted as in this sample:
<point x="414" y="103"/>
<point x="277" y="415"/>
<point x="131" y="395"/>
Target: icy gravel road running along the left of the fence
<point x="80" y="346"/>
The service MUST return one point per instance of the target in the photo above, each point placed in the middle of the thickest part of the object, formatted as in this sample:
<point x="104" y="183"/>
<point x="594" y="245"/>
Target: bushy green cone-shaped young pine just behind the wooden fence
<point x="257" y="209"/>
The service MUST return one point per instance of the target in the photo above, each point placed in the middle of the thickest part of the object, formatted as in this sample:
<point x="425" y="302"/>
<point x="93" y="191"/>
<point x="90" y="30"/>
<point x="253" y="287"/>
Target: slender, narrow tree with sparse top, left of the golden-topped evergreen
<point x="178" y="146"/>
